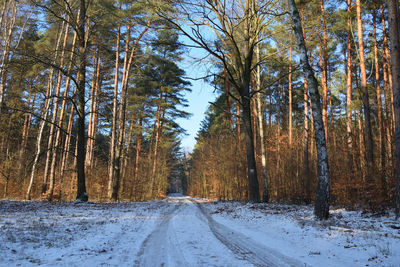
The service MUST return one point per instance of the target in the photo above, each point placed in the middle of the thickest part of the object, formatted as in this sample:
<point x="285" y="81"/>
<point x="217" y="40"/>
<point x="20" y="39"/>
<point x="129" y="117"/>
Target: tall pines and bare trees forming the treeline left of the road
<point x="90" y="91"/>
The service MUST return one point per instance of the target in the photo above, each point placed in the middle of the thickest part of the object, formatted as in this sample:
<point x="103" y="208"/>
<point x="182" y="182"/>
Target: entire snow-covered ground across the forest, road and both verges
<point x="183" y="231"/>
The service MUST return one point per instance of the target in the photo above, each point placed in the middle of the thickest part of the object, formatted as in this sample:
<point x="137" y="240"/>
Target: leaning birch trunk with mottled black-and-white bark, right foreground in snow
<point x="321" y="209"/>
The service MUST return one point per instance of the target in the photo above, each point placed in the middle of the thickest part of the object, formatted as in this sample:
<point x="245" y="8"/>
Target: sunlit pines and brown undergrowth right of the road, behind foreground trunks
<point x="348" y="49"/>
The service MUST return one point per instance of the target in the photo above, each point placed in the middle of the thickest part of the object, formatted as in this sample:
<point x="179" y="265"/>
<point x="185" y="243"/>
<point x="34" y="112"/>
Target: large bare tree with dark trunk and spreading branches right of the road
<point x="236" y="29"/>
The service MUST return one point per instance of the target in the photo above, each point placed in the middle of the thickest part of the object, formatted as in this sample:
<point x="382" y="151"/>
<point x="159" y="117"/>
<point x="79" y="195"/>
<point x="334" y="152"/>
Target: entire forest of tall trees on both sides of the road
<point x="308" y="105"/>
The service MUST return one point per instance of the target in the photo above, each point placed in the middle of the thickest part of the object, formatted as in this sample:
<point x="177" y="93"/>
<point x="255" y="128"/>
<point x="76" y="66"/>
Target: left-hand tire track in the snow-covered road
<point x="158" y="249"/>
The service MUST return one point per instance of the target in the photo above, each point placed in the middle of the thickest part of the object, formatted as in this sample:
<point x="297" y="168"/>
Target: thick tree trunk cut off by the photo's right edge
<point x="394" y="33"/>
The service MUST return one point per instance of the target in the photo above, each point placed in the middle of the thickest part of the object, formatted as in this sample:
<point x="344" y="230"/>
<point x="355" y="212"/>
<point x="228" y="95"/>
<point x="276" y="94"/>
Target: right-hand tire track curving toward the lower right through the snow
<point x="251" y="251"/>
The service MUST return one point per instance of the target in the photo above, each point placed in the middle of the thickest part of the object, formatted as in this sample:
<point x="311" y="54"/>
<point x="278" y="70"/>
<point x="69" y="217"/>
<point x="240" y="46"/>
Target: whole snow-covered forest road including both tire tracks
<point x="190" y="237"/>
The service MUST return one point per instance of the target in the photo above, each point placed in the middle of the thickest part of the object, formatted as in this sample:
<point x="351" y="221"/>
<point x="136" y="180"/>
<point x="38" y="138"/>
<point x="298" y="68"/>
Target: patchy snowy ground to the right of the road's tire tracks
<point x="348" y="238"/>
